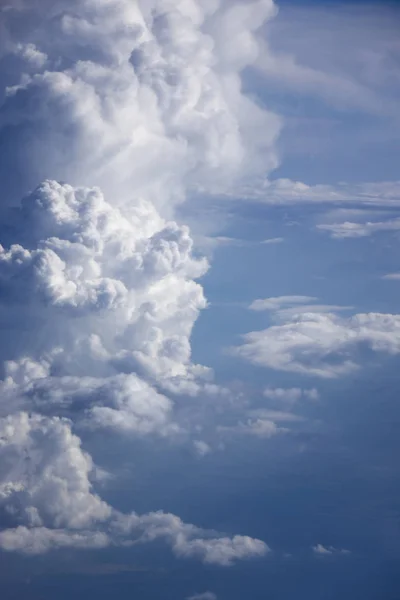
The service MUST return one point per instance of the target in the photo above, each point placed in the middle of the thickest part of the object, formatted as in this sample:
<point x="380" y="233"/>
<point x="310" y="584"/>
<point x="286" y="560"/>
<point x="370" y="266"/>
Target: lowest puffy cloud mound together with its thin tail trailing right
<point x="47" y="497"/>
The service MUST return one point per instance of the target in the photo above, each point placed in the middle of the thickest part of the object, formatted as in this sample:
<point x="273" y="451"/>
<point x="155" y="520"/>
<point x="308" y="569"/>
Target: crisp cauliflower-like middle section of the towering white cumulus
<point x="115" y="286"/>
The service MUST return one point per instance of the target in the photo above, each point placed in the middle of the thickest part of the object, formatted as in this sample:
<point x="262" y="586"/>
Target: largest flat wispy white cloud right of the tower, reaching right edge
<point x="320" y="344"/>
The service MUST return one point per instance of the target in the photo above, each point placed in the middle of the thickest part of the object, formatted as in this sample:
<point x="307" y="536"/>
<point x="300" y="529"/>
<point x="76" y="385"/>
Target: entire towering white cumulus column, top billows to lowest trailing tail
<point x="132" y="104"/>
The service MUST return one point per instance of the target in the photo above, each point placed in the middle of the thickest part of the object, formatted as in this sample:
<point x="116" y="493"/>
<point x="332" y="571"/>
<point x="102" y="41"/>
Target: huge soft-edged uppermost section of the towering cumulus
<point x="119" y="87"/>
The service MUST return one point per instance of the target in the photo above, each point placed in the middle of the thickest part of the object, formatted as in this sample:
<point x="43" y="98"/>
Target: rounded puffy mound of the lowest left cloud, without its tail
<point x="49" y="474"/>
